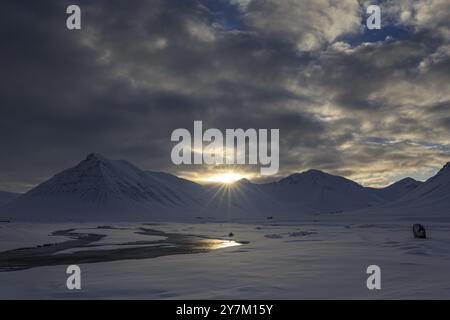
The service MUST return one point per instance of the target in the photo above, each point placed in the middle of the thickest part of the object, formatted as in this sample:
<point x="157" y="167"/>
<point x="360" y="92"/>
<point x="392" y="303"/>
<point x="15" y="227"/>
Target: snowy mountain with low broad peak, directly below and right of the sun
<point x="308" y="192"/>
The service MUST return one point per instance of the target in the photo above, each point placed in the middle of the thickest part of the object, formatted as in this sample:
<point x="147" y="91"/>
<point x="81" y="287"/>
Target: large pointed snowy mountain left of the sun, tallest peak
<point x="101" y="188"/>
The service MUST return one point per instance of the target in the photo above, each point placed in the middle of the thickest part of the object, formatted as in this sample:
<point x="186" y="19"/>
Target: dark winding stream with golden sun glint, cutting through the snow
<point x="87" y="248"/>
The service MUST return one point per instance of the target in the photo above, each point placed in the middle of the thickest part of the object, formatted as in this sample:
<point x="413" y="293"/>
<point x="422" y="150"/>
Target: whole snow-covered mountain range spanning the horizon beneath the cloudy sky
<point x="101" y="189"/>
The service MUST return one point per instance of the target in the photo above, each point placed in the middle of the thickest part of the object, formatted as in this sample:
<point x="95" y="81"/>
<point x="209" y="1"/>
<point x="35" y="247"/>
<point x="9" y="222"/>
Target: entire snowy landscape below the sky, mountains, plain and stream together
<point x="309" y="235"/>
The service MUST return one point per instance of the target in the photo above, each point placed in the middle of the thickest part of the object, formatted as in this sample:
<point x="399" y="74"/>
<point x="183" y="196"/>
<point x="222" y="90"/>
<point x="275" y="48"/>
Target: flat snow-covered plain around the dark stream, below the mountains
<point x="283" y="260"/>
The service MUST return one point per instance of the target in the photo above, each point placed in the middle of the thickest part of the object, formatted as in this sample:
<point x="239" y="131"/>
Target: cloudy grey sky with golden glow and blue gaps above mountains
<point x="370" y="105"/>
